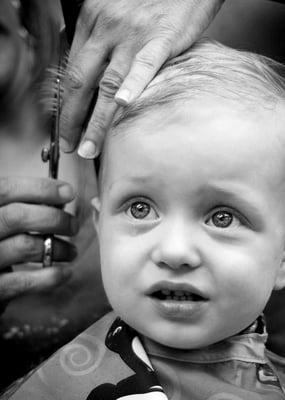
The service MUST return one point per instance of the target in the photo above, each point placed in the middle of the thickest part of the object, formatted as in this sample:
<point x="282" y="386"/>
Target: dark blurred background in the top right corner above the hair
<point x="254" y="25"/>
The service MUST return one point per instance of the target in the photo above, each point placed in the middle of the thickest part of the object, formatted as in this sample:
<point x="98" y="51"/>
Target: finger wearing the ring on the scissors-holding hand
<point x="25" y="248"/>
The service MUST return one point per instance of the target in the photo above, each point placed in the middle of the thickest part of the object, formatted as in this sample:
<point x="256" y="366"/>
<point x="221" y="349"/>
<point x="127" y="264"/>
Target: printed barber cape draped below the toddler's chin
<point x="109" y="361"/>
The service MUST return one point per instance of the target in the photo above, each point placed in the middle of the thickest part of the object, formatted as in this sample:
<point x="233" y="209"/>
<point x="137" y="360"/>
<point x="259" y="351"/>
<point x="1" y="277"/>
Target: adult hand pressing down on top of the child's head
<point x="126" y="41"/>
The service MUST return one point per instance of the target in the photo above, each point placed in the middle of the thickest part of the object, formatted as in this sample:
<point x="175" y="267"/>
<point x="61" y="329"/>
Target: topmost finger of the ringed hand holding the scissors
<point x="34" y="190"/>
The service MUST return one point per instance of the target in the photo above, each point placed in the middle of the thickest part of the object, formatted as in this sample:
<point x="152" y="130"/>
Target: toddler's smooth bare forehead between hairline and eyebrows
<point x="212" y="129"/>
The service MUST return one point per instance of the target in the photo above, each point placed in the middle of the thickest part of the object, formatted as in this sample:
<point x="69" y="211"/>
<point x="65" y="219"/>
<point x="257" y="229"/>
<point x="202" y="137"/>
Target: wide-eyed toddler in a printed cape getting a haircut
<point x="191" y="223"/>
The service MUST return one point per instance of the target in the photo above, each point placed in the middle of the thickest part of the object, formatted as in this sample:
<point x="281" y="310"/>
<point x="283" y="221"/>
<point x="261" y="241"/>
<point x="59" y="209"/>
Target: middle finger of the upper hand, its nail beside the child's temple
<point x="105" y="106"/>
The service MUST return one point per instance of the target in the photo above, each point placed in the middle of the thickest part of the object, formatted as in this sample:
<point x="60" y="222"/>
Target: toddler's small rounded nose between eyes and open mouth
<point x="177" y="247"/>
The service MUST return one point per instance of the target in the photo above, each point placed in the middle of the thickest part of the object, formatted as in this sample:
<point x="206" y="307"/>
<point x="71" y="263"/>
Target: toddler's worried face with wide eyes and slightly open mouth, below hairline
<point x="191" y="222"/>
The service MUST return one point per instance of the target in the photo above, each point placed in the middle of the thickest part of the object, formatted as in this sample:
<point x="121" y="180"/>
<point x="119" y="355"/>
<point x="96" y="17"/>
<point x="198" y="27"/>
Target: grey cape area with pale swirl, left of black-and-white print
<point x="71" y="369"/>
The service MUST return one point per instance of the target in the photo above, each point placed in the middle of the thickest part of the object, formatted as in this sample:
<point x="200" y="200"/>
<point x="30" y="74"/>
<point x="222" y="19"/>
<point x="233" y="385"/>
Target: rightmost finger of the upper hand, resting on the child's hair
<point x="145" y="65"/>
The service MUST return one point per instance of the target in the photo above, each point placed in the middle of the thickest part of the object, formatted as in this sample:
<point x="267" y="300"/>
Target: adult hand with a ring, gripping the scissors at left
<point x="29" y="205"/>
